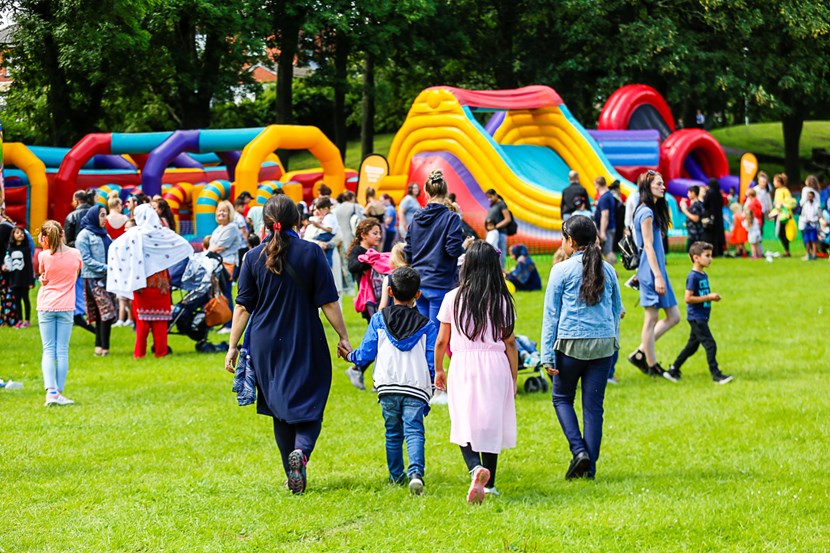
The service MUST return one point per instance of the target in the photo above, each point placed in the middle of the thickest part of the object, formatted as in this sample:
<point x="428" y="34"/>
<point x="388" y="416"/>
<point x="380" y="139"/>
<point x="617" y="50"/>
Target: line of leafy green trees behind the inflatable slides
<point x="143" y="65"/>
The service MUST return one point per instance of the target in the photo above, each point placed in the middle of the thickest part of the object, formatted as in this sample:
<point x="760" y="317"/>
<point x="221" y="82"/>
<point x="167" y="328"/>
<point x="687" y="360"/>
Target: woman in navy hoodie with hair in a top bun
<point x="433" y="246"/>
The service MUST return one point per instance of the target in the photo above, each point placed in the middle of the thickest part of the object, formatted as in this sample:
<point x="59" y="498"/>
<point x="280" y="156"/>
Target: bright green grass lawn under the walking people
<point x="156" y="456"/>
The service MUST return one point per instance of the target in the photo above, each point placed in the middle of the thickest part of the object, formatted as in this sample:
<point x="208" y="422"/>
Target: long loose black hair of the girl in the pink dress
<point x="482" y="296"/>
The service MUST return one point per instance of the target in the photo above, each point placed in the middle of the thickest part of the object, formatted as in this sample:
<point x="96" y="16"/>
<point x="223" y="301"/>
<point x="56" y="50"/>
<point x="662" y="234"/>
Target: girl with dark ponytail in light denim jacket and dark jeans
<point x="580" y="337"/>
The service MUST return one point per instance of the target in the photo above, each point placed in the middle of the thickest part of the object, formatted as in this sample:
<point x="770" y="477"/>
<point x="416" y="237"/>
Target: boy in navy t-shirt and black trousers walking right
<point x="699" y="300"/>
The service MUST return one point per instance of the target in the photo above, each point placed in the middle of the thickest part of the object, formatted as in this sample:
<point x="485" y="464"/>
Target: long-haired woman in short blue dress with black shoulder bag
<point x="651" y="223"/>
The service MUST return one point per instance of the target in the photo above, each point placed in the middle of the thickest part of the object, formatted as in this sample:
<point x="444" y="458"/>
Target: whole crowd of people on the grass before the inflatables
<point x="426" y="288"/>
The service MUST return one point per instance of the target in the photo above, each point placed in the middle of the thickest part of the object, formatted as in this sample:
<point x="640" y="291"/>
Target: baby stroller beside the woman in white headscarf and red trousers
<point x="202" y="276"/>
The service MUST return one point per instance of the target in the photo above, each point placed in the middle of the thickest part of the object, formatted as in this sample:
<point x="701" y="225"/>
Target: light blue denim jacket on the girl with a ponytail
<point x="567" y="316"/>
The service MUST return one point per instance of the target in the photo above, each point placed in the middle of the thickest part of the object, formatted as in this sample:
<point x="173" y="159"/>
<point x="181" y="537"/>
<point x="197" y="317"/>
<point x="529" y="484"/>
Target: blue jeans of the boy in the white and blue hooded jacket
<point x="404" y="420"/>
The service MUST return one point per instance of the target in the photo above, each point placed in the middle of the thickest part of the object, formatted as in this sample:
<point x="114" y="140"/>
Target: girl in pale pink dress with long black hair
<point x="477" y="321"/>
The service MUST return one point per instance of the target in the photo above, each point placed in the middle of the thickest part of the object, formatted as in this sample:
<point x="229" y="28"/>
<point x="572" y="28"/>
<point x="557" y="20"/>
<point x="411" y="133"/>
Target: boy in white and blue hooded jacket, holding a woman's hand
<point x="401" y="342"/>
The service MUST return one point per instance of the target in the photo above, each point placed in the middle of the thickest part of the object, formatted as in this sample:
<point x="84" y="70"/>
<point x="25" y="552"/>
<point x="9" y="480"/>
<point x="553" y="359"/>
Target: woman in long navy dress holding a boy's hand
<point x="282" y="283"/>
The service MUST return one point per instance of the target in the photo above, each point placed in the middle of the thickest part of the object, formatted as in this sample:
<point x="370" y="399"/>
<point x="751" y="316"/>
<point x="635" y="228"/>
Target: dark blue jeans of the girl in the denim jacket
<point x="594" y="375"/>
